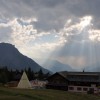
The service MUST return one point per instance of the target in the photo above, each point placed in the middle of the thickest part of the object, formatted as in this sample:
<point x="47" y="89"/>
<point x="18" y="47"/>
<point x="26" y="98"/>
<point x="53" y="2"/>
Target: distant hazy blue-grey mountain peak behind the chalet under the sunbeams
<point x="56" y="66"/>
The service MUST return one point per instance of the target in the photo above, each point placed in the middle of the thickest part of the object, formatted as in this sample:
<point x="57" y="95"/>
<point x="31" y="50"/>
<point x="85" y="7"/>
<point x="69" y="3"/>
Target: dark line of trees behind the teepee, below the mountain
<point x="7" y="75"/>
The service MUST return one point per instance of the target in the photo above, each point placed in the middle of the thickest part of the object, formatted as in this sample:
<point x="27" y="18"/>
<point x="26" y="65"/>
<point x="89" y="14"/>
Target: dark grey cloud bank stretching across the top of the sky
<point x="51" y="14"/>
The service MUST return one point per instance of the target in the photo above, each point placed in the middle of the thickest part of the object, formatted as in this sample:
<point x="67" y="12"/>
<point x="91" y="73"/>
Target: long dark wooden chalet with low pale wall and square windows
<point x="74" y="81"/>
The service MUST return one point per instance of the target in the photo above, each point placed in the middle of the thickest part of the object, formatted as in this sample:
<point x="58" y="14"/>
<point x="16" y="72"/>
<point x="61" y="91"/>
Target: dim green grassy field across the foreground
<point x="18" y="94"/>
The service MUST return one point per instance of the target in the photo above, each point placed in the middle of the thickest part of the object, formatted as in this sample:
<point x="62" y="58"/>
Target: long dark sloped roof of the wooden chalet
<point x="81" y="76"/>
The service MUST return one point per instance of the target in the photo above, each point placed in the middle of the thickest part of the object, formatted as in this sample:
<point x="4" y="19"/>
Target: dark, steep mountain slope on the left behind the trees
<point x="13" y="59"/>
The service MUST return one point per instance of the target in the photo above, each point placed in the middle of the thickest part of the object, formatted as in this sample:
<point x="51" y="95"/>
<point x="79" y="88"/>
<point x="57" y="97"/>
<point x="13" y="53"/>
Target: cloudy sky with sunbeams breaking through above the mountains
<point x="64" y="30"/>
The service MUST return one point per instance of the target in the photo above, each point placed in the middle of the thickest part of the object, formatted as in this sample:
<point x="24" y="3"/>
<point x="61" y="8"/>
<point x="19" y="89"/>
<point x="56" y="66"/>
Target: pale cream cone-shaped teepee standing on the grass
<point x="24" y="82"/>
